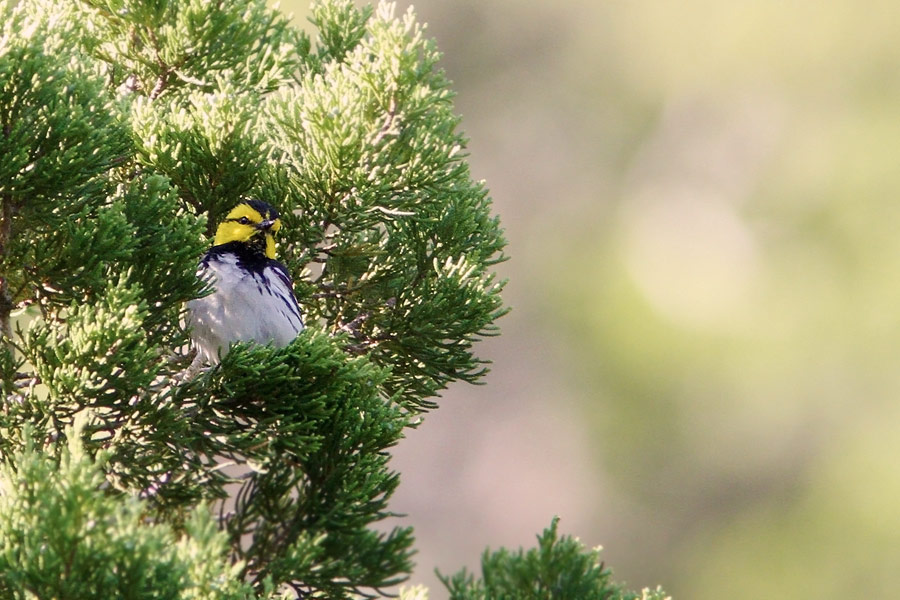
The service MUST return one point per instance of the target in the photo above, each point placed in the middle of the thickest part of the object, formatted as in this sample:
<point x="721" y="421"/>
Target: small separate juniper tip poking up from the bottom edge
<point x="560" y="568"/>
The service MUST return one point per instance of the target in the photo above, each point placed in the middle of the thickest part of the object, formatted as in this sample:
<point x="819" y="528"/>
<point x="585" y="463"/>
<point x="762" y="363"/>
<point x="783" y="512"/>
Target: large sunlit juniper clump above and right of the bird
<point x="387" y="202"/>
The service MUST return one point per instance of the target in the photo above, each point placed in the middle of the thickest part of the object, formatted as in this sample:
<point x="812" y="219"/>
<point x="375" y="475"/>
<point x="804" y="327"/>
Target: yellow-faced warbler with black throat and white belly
<point x="253" y="298"/>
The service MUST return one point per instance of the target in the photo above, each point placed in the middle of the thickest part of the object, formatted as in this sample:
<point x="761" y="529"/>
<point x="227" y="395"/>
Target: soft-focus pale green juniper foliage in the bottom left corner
<point x="63" y="536"/>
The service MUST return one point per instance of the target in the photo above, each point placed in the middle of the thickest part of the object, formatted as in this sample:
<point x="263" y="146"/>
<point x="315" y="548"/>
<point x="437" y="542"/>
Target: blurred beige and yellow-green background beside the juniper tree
<point x="700" y="371"/>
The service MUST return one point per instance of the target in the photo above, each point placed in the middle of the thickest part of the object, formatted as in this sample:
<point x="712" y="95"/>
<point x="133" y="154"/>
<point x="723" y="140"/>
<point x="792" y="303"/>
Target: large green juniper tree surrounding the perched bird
<point x="127" y="129"/>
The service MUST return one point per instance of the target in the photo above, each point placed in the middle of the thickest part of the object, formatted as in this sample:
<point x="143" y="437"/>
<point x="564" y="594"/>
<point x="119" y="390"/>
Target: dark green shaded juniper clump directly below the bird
<point x="317" y="467"/>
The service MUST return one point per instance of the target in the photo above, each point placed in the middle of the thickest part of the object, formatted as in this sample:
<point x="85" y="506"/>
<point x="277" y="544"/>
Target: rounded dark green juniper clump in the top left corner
<point x="58" y="128"/>
